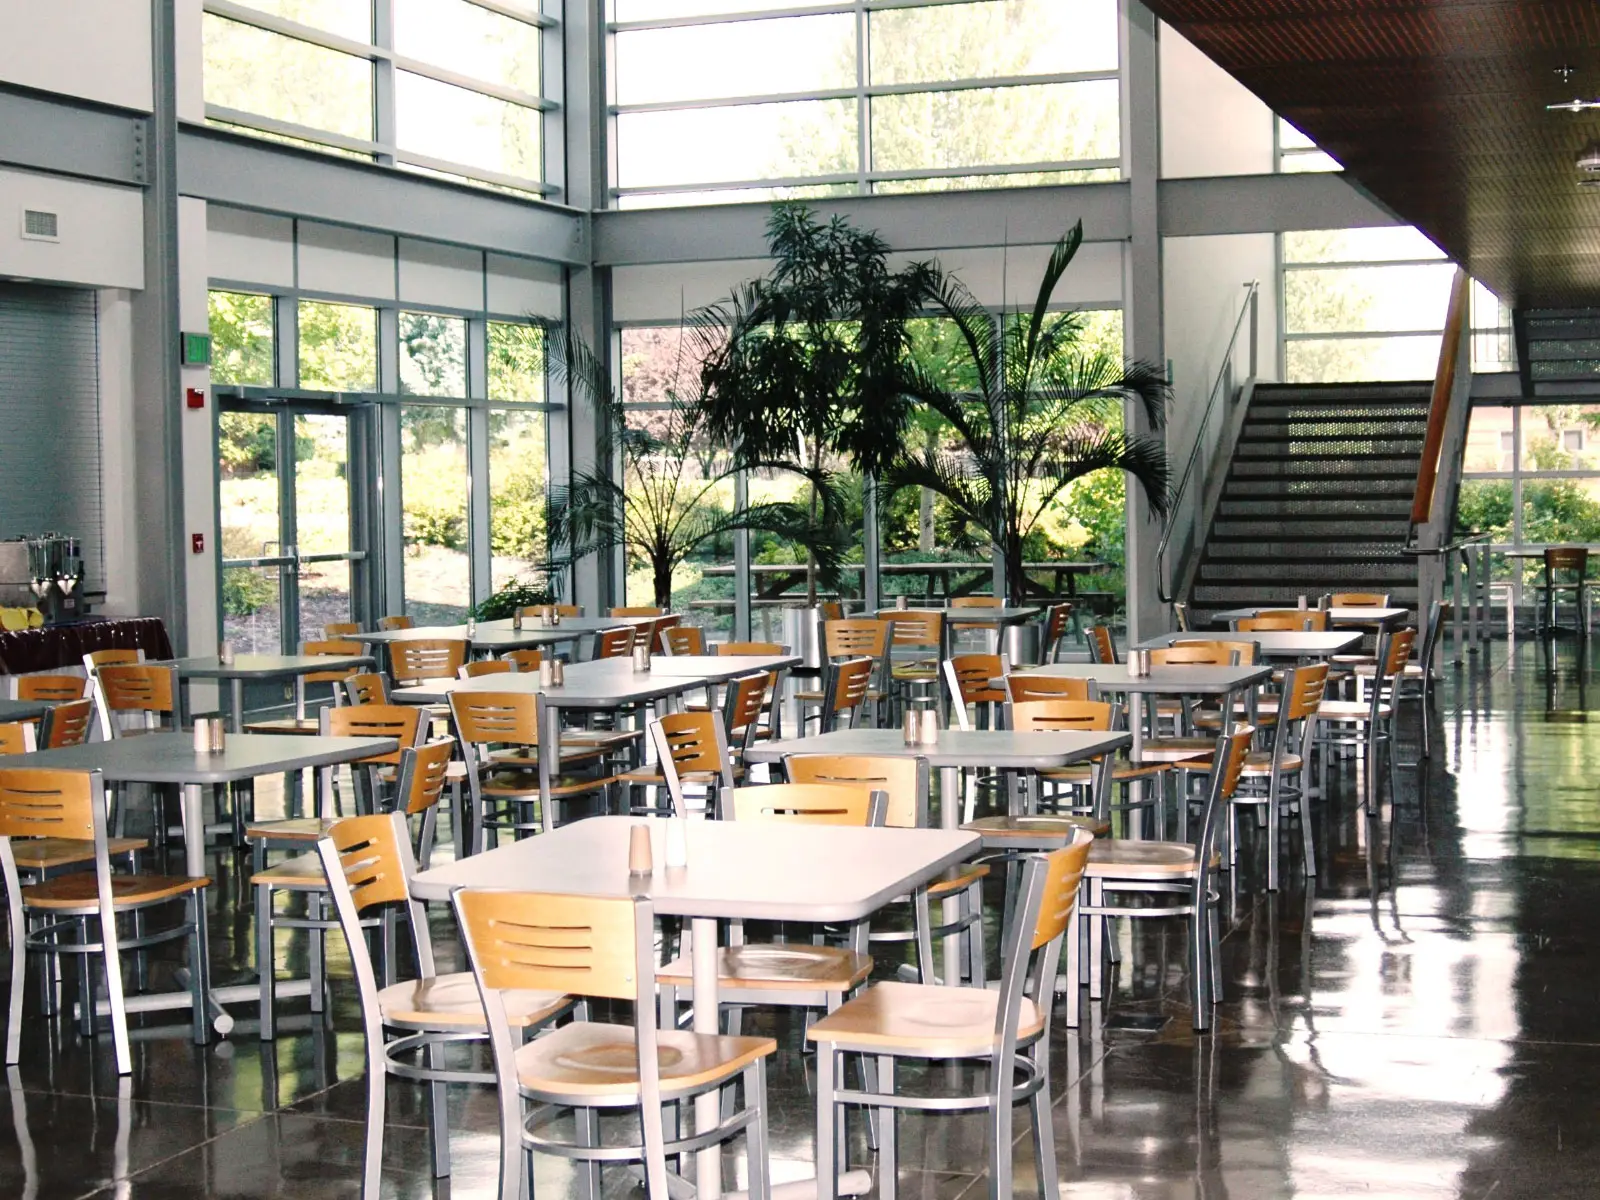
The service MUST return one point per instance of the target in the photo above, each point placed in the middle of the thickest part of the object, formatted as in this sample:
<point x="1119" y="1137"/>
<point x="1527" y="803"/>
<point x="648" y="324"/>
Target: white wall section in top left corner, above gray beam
<point x="98" y="50"/>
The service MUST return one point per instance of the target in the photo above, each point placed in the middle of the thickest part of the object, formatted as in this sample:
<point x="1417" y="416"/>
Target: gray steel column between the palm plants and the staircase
<point x="1142" y="150"/>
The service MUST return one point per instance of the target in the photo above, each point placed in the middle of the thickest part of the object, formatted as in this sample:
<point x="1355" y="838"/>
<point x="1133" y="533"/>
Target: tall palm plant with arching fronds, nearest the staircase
<point x="1041" y="415"/>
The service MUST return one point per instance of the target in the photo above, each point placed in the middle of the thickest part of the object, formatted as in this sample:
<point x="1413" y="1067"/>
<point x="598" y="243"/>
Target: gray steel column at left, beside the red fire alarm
<point x="158" y="382"/>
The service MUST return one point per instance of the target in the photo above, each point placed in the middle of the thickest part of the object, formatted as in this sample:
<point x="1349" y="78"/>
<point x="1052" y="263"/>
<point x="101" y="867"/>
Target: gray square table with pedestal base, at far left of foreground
<point x="172" y="759"/>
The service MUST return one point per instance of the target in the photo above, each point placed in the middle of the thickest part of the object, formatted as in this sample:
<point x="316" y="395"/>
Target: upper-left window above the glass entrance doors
<point x="466" y="97"/>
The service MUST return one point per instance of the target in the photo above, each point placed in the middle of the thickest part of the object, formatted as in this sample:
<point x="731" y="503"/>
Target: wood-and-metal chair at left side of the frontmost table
<point x="366" y="865"/>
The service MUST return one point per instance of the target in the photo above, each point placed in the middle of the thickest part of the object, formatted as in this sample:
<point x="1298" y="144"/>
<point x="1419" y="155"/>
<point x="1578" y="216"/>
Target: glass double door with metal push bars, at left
<point x="290" y="553"/>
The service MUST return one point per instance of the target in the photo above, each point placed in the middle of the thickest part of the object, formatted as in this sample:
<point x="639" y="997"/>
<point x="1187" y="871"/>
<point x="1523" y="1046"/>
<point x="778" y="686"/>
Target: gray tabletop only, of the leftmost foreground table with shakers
<point x="172" y="759"/>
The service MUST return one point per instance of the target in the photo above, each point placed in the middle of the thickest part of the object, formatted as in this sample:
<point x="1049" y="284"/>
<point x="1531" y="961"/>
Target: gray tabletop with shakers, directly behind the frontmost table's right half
<point x="954" y="748"/>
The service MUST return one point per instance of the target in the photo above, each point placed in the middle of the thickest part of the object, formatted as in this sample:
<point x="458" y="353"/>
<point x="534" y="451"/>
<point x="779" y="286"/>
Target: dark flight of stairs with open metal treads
<point x="1318" y="498"/>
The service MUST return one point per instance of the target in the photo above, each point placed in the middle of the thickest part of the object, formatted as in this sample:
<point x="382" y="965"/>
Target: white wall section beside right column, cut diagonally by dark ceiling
<point x="1210" y="122"/>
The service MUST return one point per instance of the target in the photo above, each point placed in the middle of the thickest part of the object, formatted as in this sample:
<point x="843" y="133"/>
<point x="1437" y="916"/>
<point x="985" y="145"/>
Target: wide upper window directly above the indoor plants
<point x="921" y="97"/>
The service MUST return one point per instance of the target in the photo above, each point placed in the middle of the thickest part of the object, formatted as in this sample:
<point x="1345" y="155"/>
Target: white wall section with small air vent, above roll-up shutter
<point x="102" y="230"/>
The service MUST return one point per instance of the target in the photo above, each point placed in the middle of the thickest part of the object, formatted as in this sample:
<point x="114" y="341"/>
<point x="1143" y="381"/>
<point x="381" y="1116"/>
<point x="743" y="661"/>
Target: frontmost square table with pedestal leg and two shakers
<point x="735" y="871"/>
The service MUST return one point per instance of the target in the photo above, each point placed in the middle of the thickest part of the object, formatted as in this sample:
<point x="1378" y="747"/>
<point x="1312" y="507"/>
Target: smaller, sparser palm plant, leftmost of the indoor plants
<point x="654" y="489"/>
